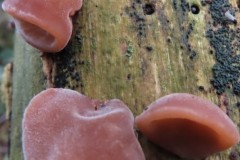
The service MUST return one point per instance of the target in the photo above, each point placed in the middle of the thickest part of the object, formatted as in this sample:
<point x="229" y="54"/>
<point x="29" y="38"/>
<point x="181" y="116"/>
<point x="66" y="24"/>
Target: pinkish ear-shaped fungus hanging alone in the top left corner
<point x="45" y="24"/>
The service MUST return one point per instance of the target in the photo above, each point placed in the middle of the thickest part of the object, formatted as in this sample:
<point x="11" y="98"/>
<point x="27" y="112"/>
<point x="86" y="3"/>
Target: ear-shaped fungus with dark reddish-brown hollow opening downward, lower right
<point x="188" y="126"/>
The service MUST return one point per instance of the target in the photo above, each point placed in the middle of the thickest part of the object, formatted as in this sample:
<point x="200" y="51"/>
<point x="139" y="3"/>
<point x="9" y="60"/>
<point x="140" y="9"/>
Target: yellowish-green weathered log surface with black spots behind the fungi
<point x="137" y="51"/>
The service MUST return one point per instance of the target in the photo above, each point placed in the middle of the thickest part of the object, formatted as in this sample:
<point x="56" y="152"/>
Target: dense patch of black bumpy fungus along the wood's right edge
<point x="225" y="43"/>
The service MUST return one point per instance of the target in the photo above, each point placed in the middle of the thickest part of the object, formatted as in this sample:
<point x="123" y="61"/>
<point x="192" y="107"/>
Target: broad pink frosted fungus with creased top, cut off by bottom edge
<point x="61" y="124"/>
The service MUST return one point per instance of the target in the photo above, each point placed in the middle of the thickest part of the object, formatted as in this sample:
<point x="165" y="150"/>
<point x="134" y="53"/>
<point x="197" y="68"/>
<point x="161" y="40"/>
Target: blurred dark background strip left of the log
<point x="6" y="54"/>
